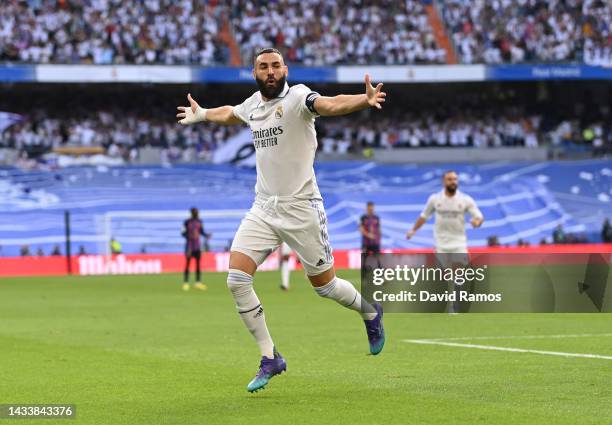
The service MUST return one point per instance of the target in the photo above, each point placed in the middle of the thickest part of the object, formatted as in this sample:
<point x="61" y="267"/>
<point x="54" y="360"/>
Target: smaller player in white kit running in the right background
<point x="450" y="206"/>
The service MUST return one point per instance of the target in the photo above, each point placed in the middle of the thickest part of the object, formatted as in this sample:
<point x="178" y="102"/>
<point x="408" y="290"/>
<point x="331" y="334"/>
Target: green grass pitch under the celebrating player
<point x="138" y="350"/>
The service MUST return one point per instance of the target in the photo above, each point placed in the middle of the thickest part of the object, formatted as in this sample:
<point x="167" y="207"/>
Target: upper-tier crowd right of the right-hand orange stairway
<point x="530" y="30"/>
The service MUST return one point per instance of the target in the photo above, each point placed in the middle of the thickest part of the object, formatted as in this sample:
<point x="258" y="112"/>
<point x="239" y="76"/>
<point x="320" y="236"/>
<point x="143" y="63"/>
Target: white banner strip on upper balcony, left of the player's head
<point x="112" y="74"/>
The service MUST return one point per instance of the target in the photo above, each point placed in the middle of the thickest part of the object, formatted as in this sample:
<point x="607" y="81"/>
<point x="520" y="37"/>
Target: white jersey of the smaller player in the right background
<point x="449" y="229"/>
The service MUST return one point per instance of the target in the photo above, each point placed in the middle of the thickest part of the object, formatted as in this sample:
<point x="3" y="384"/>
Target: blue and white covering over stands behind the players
<point x="523" y="201"/>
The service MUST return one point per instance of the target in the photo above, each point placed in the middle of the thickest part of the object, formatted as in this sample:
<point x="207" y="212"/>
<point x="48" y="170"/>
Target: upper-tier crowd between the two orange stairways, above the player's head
<point x="316" y="32"/>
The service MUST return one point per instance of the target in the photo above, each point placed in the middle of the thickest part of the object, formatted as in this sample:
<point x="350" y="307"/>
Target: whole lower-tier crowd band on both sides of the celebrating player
<point x="123" y="138"/>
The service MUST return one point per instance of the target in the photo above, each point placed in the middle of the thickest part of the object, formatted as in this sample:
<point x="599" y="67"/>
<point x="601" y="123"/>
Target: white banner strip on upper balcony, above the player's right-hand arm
<point x="412" y="74"/>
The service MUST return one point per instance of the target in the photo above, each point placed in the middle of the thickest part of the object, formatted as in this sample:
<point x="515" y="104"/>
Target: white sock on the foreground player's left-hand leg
<point x="250" y="309"/>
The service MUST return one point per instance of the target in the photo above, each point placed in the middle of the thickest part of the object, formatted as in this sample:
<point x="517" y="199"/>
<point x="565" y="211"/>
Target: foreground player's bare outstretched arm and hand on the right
<point x="346" y="103"/>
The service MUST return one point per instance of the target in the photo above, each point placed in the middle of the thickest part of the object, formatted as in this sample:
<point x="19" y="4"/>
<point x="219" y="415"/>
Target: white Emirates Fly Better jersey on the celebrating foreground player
<point x="285" y="142"/>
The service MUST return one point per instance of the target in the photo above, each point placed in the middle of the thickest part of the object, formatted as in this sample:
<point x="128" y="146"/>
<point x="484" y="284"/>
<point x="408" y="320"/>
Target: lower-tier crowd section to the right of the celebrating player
<point x="478" y="130"/>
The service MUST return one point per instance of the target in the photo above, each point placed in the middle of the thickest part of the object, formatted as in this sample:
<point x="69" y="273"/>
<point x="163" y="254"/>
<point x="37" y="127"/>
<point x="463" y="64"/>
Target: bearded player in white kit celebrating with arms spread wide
<point x="288" y="205"/>
